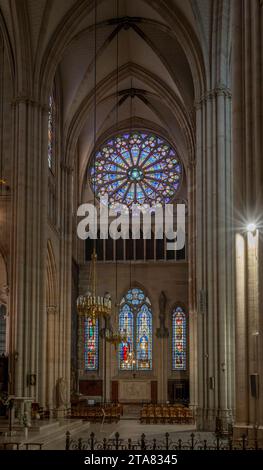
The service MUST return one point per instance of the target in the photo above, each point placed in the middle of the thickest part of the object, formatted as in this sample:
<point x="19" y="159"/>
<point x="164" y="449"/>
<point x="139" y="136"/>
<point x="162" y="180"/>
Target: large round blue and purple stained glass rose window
<point x="136" y="168"/>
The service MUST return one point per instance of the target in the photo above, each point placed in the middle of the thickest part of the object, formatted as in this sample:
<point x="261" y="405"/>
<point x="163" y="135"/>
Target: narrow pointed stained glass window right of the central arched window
<point x="179" y="340"/>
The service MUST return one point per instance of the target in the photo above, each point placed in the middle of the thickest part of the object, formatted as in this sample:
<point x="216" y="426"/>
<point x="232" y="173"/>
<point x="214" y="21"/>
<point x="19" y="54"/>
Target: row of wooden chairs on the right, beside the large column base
<point x="166" y="414"/>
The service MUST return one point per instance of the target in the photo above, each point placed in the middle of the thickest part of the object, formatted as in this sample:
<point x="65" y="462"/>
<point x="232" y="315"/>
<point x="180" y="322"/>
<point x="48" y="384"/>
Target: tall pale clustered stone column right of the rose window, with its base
<point x="214" y="258"/>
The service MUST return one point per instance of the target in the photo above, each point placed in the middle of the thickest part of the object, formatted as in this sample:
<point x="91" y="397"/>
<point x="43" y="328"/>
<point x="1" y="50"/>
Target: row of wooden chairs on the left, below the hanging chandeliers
<point x="97" y="413"/>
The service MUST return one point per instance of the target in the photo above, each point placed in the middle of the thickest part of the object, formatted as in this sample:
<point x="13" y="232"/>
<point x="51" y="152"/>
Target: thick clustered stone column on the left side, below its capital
<point x="28" y="246"/>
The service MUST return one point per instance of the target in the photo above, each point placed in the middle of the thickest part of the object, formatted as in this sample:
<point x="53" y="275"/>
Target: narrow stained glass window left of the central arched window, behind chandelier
<point x="91" y="344"/>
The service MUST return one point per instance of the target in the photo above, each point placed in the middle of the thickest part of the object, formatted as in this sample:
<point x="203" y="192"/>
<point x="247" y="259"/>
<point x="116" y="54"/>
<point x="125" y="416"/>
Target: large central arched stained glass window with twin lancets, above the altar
<point x="136" y="351"/>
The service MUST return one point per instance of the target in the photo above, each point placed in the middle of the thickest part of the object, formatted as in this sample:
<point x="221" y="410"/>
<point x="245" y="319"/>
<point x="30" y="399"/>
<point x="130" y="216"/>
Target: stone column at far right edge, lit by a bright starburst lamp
<point x="247" y="68"/>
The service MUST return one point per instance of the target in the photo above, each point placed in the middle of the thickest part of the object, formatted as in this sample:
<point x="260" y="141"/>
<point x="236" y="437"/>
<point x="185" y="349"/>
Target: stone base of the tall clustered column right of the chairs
<point x="213" y="420"/>
